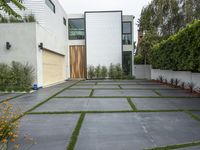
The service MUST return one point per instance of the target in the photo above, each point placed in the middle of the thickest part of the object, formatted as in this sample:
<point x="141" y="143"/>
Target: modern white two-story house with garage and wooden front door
<point x="61" y="46"/>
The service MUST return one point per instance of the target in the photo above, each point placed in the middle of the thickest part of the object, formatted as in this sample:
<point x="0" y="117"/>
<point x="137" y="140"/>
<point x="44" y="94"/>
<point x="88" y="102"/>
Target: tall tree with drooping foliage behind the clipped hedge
<point x="163" y="18"/>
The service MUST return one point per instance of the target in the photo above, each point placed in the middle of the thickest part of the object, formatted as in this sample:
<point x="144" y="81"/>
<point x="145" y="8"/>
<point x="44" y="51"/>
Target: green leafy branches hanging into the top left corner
<point x="5" y="8"/>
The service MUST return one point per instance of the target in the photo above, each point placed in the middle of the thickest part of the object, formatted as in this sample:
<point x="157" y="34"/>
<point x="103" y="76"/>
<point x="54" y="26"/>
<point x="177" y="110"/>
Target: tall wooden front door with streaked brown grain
<point x="77" y="61"/>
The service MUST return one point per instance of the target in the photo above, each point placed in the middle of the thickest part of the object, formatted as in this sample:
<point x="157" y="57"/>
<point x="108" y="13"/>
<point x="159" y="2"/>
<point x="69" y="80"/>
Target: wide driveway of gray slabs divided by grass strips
<point x="110" y="115"/>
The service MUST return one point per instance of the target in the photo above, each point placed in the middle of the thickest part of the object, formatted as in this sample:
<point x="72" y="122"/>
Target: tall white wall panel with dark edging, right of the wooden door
<point x="103" y="38"/>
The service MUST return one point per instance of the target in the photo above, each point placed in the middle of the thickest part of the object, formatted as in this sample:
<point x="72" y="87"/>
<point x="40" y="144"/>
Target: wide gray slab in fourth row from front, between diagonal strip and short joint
<point x="95" y="87"/>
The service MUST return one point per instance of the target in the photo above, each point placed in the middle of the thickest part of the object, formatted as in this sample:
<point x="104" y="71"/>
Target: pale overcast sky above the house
<point x="129" y="7"/>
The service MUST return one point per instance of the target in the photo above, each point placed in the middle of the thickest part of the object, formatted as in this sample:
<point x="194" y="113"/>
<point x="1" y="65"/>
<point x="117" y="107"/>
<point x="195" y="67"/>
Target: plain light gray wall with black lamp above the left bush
<point x="22" y="38"/>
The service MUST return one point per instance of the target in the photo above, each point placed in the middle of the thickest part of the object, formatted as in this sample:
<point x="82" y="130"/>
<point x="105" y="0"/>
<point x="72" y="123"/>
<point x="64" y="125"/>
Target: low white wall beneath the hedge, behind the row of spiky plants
<point x="183" y="76"/>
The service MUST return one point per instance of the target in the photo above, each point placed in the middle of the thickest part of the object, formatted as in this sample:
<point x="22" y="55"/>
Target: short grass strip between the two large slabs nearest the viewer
<point x="75" y="133"/>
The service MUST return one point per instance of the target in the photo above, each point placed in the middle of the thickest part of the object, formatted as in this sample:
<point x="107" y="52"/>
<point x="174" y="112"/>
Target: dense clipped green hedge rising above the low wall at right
<point x="180" y="52"/>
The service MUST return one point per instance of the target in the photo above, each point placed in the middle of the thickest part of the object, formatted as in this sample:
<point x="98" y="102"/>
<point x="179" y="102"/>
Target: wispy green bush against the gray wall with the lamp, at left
<point x="16" y="77"/>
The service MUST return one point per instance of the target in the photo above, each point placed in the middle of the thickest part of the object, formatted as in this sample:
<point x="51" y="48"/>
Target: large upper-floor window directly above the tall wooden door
<point x="76" y="29"/>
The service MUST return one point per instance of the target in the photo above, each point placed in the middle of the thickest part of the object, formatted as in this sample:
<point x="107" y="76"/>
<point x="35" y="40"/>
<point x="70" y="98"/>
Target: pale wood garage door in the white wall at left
<point x="53" y="67"/>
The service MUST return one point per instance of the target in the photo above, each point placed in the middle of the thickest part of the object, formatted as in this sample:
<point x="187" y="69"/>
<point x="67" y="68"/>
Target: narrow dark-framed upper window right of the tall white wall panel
<point x="127" y="33"/>
